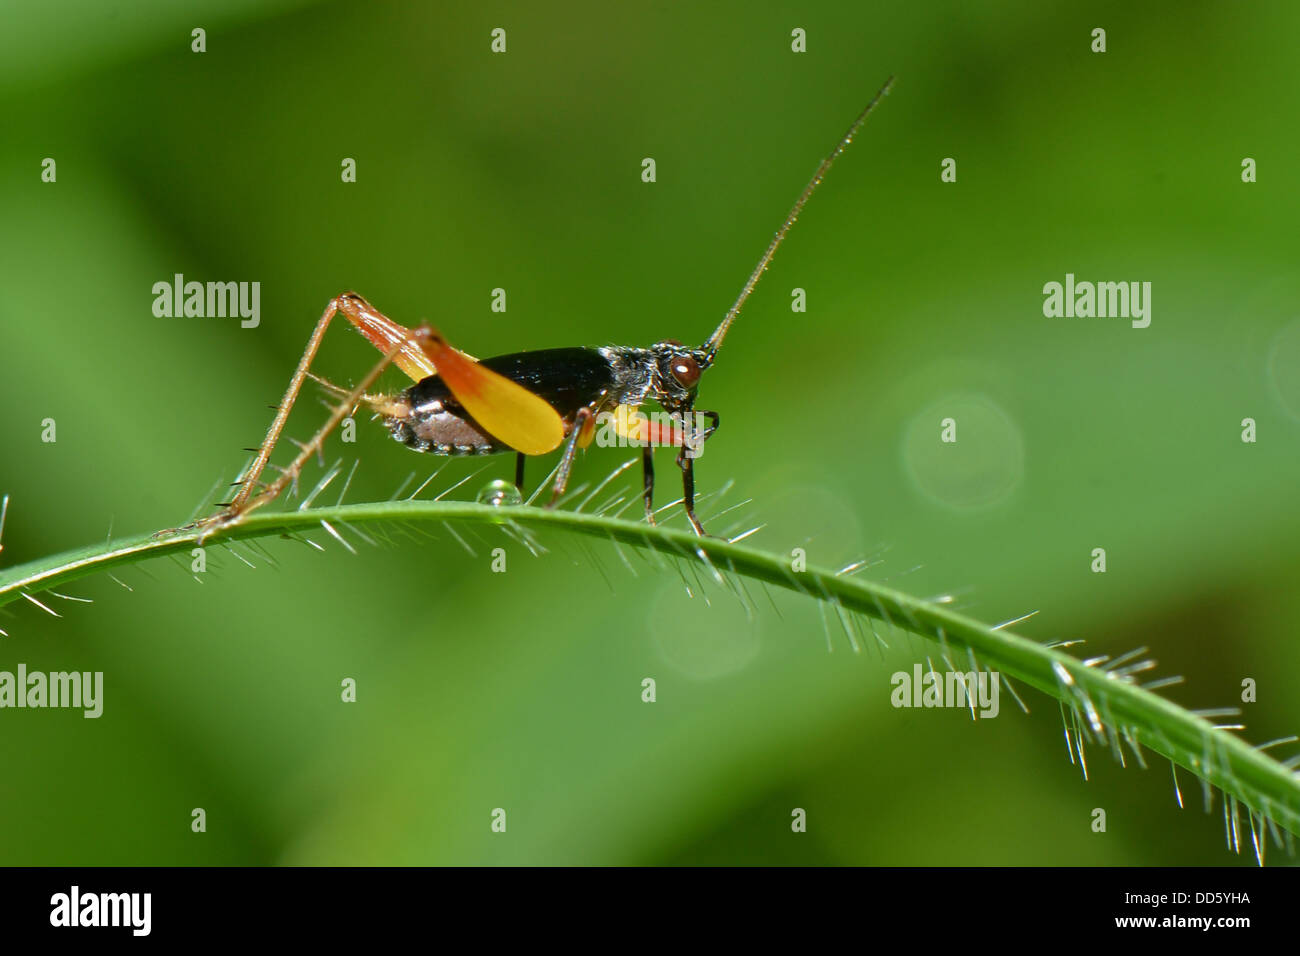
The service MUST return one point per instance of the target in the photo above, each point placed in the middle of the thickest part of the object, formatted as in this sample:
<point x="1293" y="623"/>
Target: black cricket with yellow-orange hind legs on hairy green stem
<point x="528" y="404"/>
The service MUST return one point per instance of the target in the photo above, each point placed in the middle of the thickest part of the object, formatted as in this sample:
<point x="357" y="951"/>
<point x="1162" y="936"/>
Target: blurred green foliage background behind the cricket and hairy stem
<point x="522" y="171"/>
